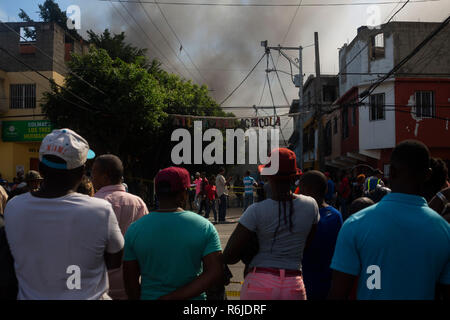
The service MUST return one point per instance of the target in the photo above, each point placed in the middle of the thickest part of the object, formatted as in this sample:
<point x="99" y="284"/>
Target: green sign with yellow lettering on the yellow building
<point x="34" y="130"/>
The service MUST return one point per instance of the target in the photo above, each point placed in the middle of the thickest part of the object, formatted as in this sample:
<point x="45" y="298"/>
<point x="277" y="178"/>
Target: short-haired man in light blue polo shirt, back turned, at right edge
<point x="398" y="248"/>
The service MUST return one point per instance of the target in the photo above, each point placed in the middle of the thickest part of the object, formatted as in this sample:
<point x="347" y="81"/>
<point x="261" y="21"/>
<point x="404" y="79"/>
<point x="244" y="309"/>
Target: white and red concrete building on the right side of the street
<point x="411" y="104"/>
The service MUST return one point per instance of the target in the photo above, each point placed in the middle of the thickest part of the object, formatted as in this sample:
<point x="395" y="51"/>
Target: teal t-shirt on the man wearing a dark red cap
<point x="169" y="247"/>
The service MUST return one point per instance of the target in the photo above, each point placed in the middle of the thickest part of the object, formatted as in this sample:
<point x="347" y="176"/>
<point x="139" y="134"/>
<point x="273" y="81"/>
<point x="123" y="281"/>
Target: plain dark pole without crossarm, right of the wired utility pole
<point x="318" y="100"/>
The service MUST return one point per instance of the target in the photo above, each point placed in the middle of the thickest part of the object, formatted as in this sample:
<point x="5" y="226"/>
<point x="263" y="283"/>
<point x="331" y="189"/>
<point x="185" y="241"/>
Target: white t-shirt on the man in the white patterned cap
<point x="46" y="236"/>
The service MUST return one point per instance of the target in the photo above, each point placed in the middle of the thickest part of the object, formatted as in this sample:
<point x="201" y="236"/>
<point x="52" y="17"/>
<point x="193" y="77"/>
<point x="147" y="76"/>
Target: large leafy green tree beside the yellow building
<point x="131" y="118"/>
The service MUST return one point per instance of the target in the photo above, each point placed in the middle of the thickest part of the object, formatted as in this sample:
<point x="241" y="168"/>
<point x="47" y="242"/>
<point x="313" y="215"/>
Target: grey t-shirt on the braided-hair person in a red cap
<point x="287" y="251"/>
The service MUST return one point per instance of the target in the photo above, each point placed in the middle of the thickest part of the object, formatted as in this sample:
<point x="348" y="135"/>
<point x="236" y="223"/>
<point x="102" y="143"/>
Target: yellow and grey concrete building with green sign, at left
<point x="23" y="125"/>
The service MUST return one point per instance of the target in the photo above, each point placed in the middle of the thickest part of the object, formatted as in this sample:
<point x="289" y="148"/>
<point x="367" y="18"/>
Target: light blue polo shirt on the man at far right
<point x="399" y="248"/>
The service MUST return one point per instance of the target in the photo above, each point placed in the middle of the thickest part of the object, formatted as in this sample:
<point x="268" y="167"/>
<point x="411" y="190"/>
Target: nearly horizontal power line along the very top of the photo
<point x="218" y="4"/>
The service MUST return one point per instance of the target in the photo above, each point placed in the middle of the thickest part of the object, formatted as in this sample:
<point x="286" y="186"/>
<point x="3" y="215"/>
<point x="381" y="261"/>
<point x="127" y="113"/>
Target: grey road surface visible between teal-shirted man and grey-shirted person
<point x="225" y="230"/>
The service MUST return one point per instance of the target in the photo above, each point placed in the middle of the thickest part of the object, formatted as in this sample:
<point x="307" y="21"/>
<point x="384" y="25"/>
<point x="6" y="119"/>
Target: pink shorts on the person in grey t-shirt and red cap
<point x="263" y="286"/>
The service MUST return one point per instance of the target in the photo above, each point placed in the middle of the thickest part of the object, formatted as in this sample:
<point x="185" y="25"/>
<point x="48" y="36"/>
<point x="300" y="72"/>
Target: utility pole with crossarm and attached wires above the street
<point x="298" y="81"/>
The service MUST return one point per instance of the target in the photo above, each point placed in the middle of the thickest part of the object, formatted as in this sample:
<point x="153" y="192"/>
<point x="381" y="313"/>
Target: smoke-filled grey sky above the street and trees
<point x="222" y="44"/>
